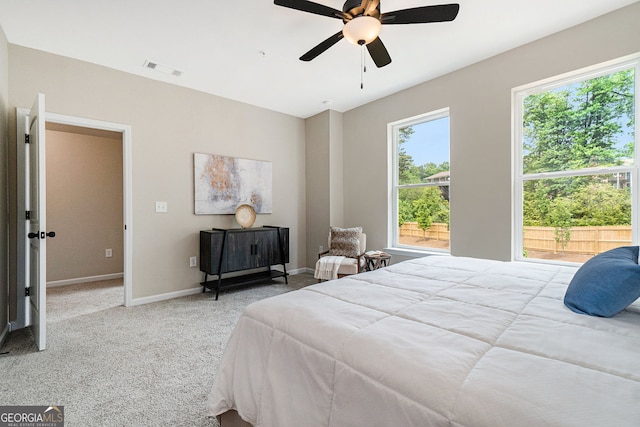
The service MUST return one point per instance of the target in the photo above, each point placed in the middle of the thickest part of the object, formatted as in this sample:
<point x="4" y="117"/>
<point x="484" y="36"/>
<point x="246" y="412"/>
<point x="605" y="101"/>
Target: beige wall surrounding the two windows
<point x="479" y="98"/>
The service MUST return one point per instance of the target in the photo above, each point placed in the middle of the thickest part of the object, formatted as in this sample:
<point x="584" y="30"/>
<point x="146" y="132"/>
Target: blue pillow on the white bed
<point x="606" y="284"/>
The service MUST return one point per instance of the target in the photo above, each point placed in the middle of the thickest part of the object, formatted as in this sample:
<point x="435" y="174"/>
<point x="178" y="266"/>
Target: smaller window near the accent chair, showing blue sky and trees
<point x="420" y="182"/>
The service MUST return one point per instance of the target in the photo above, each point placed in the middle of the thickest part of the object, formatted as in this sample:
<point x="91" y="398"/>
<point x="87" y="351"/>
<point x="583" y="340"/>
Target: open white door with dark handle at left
<point x="36" y="206"/>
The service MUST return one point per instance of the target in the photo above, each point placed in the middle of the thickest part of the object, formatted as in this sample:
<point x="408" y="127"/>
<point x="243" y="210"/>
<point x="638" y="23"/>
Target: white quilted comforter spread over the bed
<point x="438" y="341"/>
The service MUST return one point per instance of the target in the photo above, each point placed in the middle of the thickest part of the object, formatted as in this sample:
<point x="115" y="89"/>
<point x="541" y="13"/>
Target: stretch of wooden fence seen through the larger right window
<point x="583" y="240"/>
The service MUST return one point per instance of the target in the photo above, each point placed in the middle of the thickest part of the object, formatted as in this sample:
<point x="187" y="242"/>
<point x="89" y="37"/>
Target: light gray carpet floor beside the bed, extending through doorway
<point x="150" y="365"/>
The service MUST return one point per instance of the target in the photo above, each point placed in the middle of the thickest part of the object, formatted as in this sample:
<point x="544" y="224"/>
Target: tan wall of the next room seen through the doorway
<point x="84" y="202"/>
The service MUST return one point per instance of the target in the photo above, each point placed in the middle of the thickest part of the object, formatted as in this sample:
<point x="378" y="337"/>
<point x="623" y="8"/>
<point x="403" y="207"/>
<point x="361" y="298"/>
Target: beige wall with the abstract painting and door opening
<point x="169" y="124"/>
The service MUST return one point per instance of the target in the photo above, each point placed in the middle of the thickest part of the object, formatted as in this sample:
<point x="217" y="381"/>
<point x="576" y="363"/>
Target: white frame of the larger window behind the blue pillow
<point x="518" y="96"/>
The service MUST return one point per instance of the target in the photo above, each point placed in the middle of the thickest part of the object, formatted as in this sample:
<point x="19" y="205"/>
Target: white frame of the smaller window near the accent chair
<point x="394" y="186"/>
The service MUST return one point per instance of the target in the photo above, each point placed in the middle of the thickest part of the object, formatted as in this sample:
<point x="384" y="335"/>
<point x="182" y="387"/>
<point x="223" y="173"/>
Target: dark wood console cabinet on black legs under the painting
<point x="233" y="250"/>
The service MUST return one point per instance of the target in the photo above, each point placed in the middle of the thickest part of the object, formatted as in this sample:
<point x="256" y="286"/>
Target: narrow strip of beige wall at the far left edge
<point x="4" y="238"/>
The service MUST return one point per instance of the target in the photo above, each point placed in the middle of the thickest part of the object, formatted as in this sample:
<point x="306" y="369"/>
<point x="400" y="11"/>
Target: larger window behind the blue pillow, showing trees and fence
<point x="576" y="165"/>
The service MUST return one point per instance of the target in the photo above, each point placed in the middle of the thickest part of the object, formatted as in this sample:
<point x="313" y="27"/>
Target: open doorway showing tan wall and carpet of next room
<point x="84" y="206"/>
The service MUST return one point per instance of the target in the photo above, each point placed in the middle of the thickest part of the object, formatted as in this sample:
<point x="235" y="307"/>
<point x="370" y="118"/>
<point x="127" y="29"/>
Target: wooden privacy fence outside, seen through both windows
<point x="583" y="240"/>
